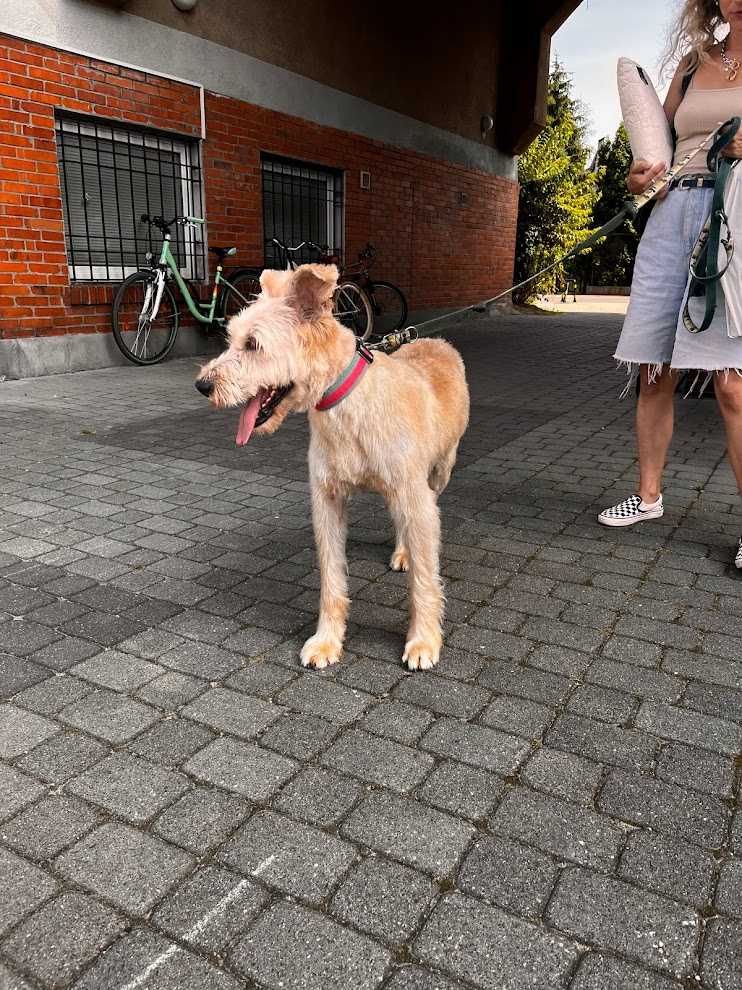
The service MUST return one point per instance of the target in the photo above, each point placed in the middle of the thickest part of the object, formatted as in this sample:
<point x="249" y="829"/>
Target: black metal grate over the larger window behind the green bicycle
<point x="110" y="175"/>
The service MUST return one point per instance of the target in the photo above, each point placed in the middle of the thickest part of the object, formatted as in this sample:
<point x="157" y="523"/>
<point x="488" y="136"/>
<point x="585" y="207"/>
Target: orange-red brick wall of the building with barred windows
<point x="444" y="233"/>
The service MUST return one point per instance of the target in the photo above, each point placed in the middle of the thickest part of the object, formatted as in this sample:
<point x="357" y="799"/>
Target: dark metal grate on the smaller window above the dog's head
<point x="301" y="202"/>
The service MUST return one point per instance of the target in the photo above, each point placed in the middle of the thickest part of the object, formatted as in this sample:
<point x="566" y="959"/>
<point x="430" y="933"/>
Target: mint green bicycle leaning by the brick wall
<point x="145" y="312"/>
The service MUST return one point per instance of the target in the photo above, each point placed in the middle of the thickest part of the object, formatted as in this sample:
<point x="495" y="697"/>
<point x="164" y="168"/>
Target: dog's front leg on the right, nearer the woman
<point x="422" y="530"/>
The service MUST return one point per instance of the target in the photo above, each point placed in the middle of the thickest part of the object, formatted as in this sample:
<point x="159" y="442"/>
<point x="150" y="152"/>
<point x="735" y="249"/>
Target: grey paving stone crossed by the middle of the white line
<point x="229" y="902"/>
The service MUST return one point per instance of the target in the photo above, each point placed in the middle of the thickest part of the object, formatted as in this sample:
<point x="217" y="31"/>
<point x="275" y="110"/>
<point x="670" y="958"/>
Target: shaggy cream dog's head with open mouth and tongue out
<point x="267" y="369"/>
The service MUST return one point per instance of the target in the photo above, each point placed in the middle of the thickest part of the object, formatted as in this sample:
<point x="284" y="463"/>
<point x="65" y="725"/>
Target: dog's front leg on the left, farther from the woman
<point x="329" y="519"/>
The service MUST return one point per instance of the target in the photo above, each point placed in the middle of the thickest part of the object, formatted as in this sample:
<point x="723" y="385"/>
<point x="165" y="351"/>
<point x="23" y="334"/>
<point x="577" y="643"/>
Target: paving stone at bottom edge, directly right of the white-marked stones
<point x="291" y="947"/>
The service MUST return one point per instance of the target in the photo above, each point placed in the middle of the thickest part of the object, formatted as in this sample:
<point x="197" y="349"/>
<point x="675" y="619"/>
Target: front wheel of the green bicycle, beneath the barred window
<point x="141" y="339"/>
